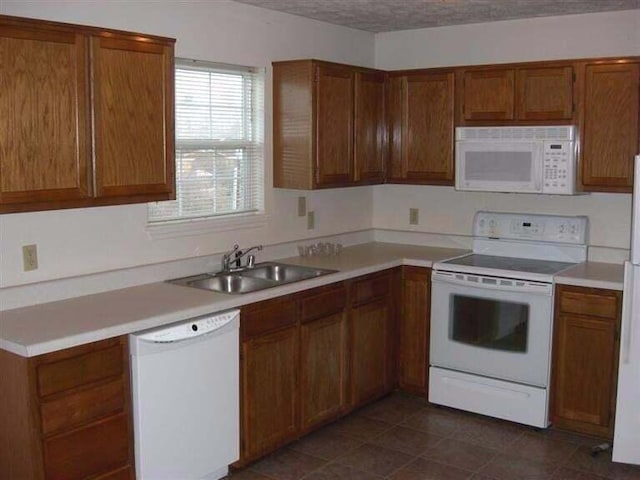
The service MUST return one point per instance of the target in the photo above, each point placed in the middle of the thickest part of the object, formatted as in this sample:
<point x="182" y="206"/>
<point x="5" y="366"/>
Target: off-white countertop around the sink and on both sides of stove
<point x="48" y="327"/>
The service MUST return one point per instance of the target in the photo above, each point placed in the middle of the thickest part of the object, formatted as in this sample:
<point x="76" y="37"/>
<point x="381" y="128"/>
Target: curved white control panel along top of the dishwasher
<point x="192" y="328"/>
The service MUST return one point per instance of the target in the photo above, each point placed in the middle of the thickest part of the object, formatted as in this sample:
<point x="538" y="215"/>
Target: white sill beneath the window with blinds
<point x="203" y="226"/>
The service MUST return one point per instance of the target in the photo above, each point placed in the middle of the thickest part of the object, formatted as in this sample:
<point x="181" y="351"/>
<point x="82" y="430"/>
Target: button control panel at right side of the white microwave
<point x="558" y="175"/>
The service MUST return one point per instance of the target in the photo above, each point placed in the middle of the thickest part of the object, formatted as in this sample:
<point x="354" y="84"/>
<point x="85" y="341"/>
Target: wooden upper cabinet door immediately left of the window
<point x="133" y="118"/>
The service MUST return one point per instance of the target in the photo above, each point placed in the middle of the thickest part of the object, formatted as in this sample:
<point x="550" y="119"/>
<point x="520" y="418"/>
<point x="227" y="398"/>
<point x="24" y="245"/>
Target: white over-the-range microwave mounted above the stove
<point x="516" y="159"/>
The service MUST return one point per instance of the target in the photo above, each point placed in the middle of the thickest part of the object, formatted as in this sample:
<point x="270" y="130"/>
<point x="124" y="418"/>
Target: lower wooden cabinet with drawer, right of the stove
<point x="585" y="359"/>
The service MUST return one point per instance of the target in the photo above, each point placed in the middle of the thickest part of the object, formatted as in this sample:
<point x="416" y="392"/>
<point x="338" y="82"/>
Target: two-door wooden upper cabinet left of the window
<point x="87" y="116"/>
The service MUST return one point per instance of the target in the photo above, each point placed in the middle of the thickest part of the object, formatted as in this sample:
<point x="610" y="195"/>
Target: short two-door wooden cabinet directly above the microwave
<point x="521" y="94"/>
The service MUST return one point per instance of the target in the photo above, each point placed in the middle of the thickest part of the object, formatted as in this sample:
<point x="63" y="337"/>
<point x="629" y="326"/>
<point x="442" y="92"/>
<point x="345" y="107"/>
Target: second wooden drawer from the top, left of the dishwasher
<point x="82" y="407"/>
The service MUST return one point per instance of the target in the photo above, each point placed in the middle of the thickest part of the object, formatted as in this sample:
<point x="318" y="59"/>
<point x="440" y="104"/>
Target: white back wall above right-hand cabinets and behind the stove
<point x="446" y="212"/>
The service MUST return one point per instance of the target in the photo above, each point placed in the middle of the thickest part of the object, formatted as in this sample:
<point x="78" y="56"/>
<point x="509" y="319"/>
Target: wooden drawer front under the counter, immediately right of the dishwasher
<point x="267" y="316"/>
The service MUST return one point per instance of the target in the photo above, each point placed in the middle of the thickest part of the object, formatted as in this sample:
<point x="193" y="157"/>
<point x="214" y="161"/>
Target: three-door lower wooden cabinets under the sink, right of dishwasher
<point x="309" y="358"/>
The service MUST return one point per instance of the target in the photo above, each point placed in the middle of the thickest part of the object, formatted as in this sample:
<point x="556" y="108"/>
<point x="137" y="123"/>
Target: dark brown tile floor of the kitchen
<point x="403" y="438"/>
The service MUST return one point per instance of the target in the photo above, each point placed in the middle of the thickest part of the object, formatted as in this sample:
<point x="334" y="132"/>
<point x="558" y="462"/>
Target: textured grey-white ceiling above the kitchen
<point x="389" y="15"/>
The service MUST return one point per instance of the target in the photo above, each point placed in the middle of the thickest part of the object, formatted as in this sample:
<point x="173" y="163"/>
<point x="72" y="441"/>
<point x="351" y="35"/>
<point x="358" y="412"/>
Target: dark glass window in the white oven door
<point x="487" y="323"/>
